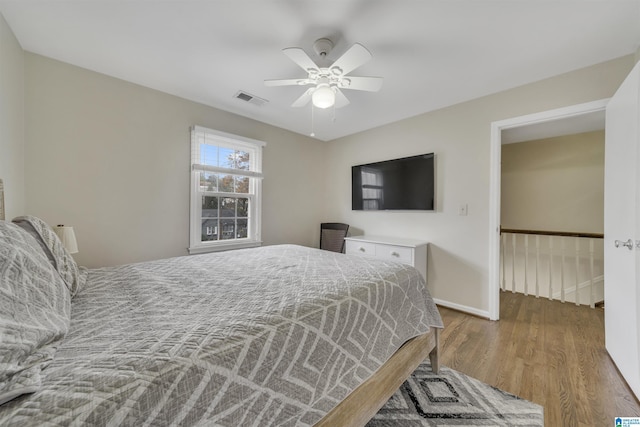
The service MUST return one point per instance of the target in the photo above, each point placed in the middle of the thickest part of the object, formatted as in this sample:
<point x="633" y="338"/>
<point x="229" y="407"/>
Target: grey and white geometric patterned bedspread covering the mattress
<point x="277" y="335"/>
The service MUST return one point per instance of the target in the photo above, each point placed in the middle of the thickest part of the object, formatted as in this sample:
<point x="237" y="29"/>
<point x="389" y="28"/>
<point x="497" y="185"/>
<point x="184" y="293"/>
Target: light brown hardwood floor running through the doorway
<point x="544" y="351"/>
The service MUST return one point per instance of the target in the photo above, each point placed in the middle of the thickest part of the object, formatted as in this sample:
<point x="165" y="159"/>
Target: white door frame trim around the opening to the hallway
<point x="495" y="170"/>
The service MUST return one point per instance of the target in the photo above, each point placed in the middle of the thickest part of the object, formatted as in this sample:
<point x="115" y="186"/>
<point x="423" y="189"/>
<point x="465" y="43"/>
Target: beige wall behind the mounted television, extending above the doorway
<point x="460" y="136"/>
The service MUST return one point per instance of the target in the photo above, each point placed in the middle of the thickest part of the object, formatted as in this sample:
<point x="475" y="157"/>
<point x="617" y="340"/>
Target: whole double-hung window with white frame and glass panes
<point x="226" y="184"/>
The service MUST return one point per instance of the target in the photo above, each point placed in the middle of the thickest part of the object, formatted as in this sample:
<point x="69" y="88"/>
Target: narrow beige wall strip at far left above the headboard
<point x="11" y="120"/>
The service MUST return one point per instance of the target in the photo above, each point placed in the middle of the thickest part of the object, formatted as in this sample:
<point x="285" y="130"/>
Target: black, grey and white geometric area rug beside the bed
<point x="454" y="399"/>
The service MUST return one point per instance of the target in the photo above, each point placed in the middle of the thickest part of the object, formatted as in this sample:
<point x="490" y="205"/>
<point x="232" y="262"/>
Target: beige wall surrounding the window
<point x="112" y="159"/>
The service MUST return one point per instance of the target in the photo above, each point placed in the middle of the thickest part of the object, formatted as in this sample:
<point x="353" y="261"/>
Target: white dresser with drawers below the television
<point x="408" y="251"/>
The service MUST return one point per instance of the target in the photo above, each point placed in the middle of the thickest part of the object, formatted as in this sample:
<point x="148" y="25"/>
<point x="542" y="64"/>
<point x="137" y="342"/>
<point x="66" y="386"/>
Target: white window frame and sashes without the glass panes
<point x="227" y="140"/>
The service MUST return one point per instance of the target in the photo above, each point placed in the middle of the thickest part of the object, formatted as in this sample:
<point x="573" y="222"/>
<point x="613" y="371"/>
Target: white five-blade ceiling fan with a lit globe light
<point x="328" y="82"/>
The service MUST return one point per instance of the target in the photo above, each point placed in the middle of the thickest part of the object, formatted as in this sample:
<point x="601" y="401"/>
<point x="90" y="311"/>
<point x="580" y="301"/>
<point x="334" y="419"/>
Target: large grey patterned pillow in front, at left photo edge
<point x="35" y="311"/>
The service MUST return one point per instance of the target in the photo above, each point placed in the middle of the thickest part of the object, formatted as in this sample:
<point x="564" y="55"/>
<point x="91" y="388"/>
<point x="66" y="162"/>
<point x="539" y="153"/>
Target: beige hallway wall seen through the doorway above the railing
<point x="554" y="184"/>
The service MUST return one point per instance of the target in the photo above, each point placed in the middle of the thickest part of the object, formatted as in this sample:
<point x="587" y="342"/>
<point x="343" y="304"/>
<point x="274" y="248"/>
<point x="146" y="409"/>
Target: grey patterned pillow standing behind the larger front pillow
<point x="63" y="261"/>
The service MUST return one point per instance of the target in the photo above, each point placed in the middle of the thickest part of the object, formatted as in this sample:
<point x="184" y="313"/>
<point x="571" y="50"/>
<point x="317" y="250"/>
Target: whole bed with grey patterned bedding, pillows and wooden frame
<point x="278" y="335"/>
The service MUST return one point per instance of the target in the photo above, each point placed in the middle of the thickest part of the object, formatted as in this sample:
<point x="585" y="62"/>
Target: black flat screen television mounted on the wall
<point x="399" y="184"/>
